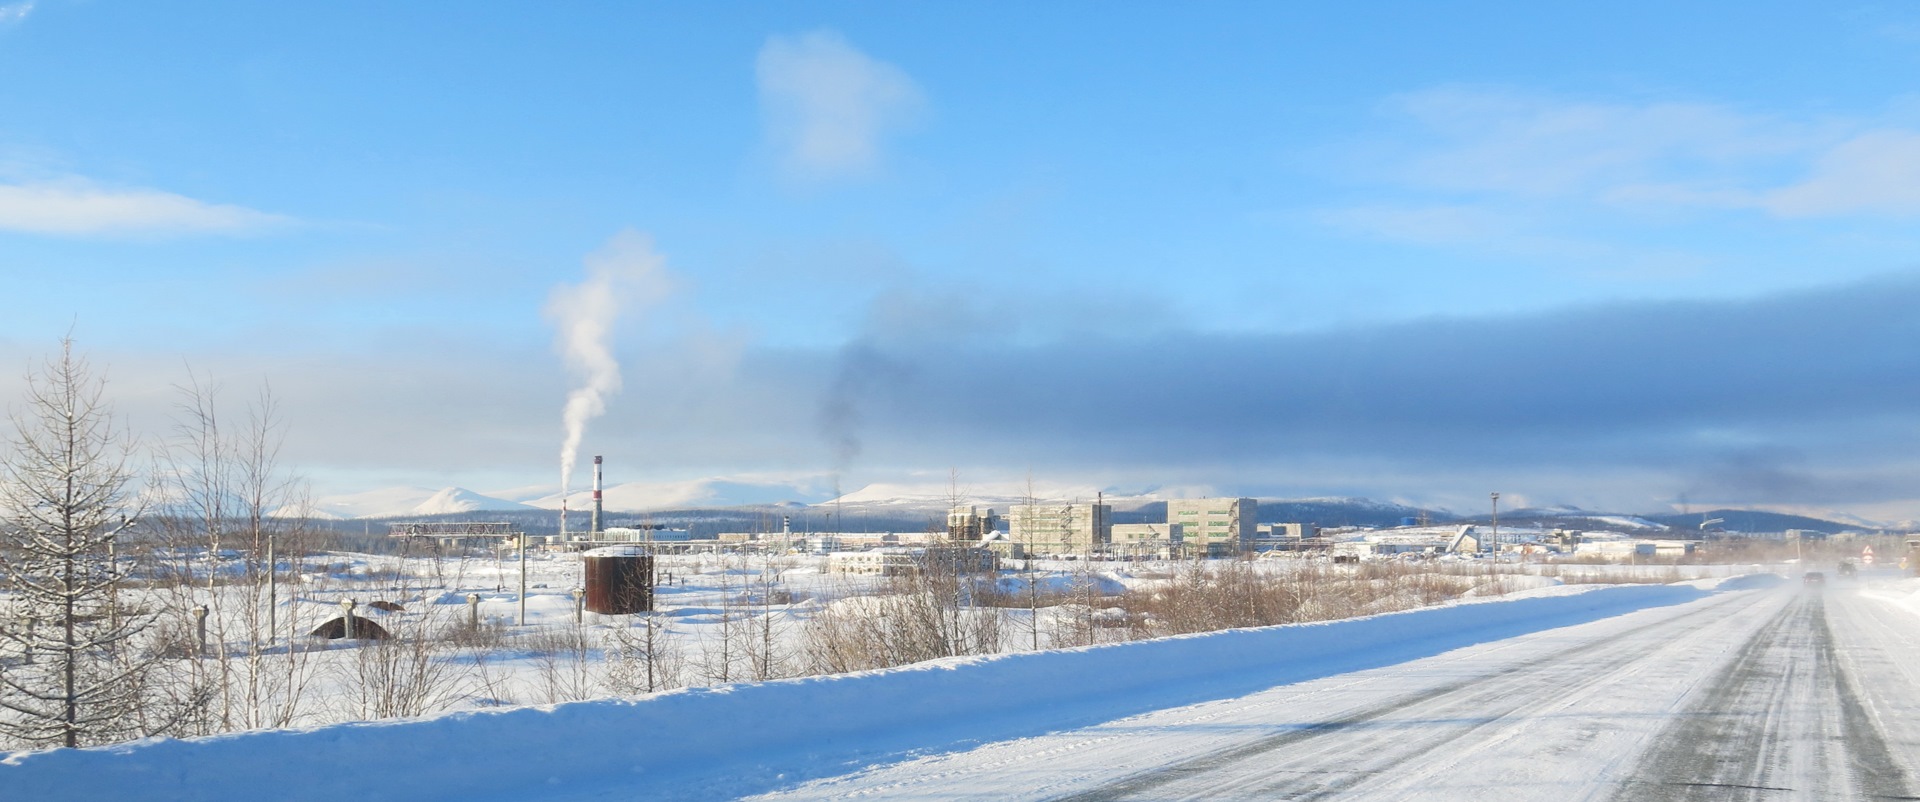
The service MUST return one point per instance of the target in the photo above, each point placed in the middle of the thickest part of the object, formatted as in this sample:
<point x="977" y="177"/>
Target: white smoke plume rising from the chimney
<point x="625" y="275"/>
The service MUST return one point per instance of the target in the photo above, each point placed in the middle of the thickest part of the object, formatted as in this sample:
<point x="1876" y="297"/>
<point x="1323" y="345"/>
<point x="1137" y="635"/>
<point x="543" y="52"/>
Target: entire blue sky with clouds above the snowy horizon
<point x="1604" y="256"/>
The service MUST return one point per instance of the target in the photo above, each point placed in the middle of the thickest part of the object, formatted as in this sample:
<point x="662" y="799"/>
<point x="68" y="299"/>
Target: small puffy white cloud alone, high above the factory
<point x="828" y="106"/>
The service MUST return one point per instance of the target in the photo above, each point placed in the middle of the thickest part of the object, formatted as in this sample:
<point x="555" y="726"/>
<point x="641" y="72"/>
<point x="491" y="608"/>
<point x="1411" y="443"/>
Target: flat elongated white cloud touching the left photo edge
<point x="80" y="208"/>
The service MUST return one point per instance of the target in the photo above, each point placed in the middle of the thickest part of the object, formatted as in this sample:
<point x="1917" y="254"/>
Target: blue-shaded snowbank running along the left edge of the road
<point x="742" y="740"/>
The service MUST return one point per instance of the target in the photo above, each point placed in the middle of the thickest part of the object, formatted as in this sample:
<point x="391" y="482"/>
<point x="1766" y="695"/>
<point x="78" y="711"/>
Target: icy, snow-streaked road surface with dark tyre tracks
<point x="1792" y="694"/>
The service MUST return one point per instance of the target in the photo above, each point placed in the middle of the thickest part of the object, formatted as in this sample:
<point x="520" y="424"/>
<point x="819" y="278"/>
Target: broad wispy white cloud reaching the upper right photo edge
<point x="1470" y="153"/>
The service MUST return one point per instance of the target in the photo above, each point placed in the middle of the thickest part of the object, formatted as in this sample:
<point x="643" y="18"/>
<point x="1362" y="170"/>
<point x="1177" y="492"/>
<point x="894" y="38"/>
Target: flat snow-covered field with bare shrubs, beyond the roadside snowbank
<point x="721" y="619"/>
